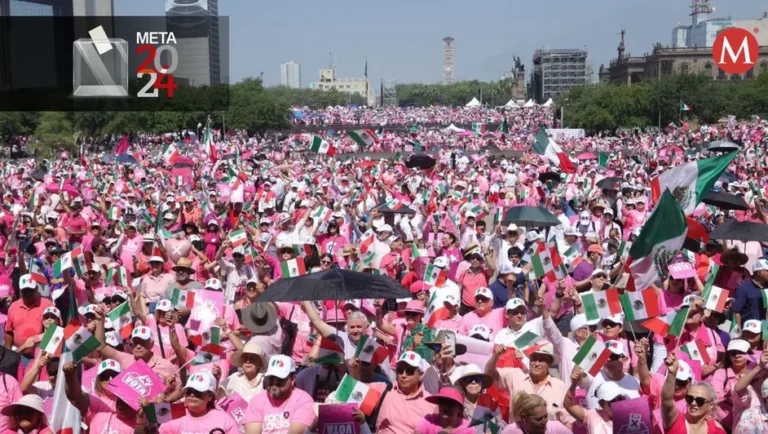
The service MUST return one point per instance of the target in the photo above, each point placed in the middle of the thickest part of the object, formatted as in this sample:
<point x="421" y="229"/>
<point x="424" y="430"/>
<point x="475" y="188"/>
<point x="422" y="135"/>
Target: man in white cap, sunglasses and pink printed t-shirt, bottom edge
<point x="281" y="408"/>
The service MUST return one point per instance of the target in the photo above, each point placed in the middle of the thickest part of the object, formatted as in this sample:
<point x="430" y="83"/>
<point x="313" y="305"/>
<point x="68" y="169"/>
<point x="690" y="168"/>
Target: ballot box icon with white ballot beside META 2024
<point x="100" y="66"/>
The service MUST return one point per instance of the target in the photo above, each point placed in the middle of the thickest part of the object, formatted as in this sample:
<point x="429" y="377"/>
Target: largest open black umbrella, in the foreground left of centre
<point x="334" y="284"/>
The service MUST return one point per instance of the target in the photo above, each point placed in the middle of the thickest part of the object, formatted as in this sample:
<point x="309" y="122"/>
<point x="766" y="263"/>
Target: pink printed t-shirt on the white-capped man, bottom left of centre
<point x="276" y="417"/>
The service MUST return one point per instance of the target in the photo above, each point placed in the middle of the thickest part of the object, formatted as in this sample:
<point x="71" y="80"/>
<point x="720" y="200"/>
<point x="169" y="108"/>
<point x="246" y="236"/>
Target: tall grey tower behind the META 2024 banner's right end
<point x="195" y="24"/>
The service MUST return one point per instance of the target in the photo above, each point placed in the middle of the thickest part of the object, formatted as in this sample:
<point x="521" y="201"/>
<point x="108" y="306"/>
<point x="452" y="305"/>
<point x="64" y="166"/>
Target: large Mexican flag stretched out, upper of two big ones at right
<point x="688" y="183"/>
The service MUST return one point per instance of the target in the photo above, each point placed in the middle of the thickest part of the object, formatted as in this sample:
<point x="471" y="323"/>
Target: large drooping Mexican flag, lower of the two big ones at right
<point x="660" y="239"/>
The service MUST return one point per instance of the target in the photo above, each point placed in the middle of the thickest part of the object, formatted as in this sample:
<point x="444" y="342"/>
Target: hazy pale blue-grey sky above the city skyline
<point x="402" y="39"/>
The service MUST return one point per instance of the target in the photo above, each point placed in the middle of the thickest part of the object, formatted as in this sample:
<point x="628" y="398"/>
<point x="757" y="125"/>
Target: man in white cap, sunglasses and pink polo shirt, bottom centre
<point x="405" y="405"/>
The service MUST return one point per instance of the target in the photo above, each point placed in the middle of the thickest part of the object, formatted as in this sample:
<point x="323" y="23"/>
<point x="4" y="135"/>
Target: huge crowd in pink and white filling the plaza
<point x="108" y="268"/>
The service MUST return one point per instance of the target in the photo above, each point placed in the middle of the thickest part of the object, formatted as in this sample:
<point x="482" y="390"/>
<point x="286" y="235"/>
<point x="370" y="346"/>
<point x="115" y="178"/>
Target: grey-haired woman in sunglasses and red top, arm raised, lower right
<point x="701" y="399"/>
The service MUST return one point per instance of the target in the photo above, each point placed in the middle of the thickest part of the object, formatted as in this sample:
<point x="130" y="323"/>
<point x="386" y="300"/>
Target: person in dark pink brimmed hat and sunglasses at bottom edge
<point x="449" y="416"/>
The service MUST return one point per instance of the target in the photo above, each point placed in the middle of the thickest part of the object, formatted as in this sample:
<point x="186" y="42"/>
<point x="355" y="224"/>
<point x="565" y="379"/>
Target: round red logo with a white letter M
<point x="735" y="50"/>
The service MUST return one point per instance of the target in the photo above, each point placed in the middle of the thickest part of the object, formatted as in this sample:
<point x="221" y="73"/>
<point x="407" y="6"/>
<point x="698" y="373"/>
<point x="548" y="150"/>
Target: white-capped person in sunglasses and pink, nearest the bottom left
<point x="202" y="415"/>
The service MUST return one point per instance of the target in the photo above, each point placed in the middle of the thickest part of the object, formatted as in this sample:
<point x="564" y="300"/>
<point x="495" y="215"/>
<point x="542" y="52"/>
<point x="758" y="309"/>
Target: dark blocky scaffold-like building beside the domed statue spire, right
<point x="557" y="71"/>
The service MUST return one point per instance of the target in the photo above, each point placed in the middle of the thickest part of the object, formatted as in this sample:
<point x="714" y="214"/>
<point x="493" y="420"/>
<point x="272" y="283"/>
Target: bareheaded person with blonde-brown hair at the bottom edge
<point x="530" y="417"/>
